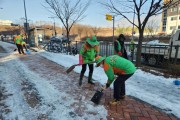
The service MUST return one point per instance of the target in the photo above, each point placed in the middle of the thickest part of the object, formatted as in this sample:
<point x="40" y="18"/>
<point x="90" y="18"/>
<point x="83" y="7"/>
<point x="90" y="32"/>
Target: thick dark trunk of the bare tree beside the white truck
<point x="138" y="56"/>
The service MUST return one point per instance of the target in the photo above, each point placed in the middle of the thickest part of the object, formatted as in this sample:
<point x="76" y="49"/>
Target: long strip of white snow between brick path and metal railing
<point x="155" y="90"/>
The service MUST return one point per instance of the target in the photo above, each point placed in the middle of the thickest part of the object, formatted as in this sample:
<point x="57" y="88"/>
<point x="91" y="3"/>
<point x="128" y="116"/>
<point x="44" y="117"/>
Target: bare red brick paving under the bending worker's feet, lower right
<point x="133" y="109"/>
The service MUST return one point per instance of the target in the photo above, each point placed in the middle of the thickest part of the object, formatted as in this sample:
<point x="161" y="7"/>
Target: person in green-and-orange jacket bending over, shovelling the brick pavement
<point x="116" y="65"/>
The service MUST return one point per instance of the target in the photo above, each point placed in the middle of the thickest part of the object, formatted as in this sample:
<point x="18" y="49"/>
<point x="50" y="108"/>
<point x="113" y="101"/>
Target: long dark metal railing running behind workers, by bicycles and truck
<point x="151" y="54"/>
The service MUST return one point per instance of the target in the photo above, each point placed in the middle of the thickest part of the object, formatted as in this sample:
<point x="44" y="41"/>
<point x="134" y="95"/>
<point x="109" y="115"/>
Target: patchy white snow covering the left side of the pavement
<point x="53" y="103"/>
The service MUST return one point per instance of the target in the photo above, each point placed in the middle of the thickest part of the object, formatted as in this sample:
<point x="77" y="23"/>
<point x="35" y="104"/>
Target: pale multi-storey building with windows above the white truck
<point x="171" y="18"/>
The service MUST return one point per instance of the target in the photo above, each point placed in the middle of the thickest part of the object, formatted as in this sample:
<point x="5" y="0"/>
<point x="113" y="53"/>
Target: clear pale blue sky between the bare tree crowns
<point x="14" y="10"/>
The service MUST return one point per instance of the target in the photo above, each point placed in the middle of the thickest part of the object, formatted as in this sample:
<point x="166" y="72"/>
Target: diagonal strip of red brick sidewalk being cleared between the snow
<point x="129" y="109"/>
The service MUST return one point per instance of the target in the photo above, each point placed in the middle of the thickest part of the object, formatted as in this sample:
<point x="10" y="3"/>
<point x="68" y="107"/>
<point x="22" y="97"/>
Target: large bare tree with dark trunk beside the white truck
<point x="143" y="9"/>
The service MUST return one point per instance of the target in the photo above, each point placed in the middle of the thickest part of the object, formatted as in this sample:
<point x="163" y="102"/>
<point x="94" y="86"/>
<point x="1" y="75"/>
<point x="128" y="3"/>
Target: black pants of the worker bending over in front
<point x="119" y="86"/>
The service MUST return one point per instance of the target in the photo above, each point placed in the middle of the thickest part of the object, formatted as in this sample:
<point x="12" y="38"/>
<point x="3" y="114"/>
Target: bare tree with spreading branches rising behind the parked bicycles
<point x="68" y="11"/>
